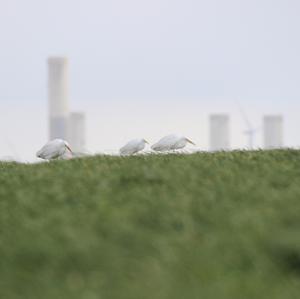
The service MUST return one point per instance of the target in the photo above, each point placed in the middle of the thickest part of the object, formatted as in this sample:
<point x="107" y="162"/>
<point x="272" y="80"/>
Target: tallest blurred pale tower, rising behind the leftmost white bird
<point x="58" y="97"/>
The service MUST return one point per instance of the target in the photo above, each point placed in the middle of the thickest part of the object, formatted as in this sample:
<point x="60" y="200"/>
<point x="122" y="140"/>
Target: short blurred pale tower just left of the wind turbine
<point x="219" y="132"/>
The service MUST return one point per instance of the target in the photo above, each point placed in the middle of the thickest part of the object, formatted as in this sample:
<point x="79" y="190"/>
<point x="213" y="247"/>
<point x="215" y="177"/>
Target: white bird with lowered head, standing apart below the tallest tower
<point x="55" y="149"/>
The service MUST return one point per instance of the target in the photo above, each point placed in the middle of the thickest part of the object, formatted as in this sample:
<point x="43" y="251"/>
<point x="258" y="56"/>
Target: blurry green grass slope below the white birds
<point x="224" y="225"/>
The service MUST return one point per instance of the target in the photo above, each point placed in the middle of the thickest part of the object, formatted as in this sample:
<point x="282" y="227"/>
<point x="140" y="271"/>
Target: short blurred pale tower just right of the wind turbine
<point x="273" y="131"/>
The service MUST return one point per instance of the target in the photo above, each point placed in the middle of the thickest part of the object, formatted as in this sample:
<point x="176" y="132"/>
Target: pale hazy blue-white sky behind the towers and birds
<point x="148" y="68"/>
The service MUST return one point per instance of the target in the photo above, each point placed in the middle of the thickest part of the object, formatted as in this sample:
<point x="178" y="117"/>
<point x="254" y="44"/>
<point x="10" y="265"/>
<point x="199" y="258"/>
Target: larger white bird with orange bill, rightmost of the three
<point x="171" y="142"/>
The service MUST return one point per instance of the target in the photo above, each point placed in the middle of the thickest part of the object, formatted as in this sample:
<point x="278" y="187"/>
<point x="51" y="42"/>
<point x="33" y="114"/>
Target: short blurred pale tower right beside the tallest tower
<point x="77" y="132"/>
